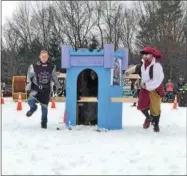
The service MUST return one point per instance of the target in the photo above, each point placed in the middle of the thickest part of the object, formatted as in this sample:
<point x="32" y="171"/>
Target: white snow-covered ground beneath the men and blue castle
<point x="28" y="149"/>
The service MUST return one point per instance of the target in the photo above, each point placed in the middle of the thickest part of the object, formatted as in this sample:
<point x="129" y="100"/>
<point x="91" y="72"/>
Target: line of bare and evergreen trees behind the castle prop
<point x="91" y="24"/>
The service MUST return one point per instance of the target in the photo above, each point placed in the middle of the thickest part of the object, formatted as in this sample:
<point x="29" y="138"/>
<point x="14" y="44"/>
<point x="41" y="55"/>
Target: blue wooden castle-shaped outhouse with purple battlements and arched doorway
<point x="108" y="65"/>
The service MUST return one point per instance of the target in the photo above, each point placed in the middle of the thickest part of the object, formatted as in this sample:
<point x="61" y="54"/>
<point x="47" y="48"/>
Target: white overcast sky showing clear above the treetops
<point x="9" y="6"/>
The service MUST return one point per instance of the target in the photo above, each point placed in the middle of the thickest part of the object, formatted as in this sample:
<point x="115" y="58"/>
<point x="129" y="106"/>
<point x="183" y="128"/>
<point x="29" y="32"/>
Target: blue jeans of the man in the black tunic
<point x="33" y="108"/>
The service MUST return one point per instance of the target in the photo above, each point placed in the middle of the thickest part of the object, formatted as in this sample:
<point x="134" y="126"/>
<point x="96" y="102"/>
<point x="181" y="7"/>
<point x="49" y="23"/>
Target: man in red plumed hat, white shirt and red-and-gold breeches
<point x="151" y="90"/>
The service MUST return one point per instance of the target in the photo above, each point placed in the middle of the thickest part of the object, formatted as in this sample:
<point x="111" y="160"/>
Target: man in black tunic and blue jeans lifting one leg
<point x="39" y="85"/>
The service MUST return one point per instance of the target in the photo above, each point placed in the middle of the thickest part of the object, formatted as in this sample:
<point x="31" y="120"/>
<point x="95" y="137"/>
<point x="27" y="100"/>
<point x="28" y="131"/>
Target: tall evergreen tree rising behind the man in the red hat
<point x="159" y="28"/>
